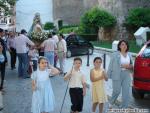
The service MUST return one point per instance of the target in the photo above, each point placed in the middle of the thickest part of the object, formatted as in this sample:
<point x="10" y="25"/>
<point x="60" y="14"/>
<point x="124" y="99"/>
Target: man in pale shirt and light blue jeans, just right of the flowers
<point x="49" y="46"/>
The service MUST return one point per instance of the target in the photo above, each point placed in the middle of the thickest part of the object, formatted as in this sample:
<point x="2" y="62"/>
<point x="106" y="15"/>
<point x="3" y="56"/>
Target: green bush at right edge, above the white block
<point x="138" y="17"/>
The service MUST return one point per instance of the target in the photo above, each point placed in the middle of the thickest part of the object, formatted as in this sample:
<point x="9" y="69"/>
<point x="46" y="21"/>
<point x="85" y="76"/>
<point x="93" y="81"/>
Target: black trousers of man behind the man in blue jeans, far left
<point x="13" y="57"/>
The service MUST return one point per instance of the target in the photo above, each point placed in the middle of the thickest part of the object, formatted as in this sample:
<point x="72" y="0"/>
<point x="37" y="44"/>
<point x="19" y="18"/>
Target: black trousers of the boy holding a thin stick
<point x="76" y="95"/>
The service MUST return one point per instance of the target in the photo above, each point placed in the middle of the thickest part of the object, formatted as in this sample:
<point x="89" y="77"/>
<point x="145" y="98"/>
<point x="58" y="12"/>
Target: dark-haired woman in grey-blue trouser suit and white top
<point x="119" y="71"/>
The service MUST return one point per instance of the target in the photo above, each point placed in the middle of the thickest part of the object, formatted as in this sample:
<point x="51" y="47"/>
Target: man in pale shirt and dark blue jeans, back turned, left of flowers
<point x="21" y="43"/>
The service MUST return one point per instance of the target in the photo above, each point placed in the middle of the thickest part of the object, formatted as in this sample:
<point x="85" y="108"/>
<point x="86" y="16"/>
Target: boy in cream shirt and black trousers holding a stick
<point x="77" y="85"/>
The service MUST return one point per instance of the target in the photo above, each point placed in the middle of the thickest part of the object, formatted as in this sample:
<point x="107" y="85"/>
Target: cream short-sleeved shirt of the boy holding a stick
<point x="77" y="79"/>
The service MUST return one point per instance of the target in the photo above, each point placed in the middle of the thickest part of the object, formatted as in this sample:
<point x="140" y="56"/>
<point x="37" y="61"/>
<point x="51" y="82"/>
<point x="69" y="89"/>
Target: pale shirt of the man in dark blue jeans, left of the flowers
<point x="21" y="43"/>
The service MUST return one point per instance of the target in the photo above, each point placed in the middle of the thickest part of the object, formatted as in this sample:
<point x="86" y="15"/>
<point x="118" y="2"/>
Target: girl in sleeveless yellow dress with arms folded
<point x="97" y="76"/>
